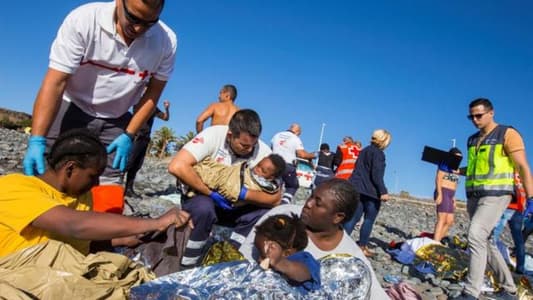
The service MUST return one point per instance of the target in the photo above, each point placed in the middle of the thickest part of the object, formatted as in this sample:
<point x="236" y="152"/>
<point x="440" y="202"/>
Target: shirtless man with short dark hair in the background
<point x="220" y="112"/>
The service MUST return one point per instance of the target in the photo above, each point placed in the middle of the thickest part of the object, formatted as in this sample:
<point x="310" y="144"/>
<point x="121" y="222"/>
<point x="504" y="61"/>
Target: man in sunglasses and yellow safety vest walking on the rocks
<point x="494" y="153"/>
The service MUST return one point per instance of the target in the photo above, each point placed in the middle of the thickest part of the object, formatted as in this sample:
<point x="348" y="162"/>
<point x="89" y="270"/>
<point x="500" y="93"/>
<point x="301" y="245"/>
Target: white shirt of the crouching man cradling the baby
<point x="212" y="142"/>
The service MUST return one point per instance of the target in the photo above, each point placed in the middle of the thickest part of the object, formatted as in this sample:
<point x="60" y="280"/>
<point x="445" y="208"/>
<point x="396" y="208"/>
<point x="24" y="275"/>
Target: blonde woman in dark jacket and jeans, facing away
<point x="367" y="179"/>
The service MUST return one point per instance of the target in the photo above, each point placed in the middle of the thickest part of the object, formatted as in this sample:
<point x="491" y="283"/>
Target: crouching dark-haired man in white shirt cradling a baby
<point x="229" y="145"/>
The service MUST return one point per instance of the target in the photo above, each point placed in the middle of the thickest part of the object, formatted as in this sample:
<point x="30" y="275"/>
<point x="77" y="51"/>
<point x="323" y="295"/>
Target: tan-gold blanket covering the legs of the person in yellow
<point x="55" y="270"/>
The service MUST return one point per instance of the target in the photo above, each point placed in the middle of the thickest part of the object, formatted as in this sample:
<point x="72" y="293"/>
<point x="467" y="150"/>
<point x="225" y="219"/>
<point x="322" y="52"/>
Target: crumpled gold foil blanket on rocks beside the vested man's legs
<point x="449" y="263"/>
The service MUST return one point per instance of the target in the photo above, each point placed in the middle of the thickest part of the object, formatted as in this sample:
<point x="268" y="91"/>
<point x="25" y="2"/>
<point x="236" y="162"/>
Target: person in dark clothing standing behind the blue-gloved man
<point x="140" y="145"/>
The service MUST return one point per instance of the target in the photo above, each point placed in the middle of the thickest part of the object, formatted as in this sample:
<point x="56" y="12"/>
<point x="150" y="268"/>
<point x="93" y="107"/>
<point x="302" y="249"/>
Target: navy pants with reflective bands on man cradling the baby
<point x="204" y="214"/>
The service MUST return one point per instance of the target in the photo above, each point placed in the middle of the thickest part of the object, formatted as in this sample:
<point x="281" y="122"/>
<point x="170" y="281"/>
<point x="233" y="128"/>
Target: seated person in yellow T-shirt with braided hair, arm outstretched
<point x="56" y="206"/>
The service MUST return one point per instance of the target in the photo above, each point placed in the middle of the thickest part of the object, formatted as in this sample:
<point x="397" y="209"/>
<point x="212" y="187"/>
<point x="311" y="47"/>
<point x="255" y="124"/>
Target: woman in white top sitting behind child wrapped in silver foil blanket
<point x="330" y="204"/>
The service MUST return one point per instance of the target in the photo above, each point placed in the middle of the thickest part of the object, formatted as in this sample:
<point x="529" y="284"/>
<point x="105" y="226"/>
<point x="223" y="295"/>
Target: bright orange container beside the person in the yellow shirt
<point x="108" y="198"/>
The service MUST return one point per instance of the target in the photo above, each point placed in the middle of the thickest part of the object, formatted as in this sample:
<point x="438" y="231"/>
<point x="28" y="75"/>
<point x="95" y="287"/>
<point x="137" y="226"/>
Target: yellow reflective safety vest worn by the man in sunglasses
<point x="490" y="172"/>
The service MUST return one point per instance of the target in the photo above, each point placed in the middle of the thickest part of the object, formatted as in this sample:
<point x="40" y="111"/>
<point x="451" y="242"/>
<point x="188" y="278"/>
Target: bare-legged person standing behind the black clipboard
<point x="446" y="181"/>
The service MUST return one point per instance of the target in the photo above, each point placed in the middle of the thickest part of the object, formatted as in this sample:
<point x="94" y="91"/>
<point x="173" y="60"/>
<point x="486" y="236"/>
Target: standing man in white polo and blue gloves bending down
<point x="105" y="58"/>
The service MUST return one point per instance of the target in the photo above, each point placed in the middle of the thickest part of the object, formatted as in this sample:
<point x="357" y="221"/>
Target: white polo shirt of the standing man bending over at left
<point x="108" y="77"/>
